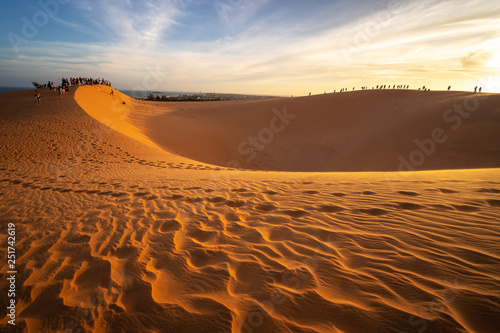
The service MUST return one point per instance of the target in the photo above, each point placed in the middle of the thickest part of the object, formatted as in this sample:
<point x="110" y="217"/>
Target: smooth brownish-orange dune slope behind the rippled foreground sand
<point x="386" y="130"/>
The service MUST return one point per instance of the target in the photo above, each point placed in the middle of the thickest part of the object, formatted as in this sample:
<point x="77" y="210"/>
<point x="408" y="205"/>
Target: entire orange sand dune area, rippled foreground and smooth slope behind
<point x="145" y="225"/>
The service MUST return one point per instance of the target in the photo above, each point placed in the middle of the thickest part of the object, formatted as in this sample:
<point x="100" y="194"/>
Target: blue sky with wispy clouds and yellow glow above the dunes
<point x="272" y="47"/>
